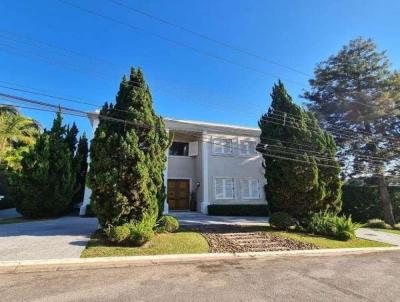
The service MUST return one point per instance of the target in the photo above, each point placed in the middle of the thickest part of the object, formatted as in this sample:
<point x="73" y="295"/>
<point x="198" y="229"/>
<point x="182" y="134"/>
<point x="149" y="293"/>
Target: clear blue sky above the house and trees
<point x="185" y="84"/>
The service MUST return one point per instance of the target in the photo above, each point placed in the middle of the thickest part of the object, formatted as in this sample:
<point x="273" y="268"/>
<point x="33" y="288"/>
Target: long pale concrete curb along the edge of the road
<point x="126" y="261"/>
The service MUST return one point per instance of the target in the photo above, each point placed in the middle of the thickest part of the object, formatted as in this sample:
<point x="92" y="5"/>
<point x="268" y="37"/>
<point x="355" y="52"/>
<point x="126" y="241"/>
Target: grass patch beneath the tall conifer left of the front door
<point x="162" y="244"/>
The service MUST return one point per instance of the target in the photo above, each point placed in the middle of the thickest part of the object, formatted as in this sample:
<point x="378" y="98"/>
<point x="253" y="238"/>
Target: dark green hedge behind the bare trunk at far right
<point x="362" y="202"/>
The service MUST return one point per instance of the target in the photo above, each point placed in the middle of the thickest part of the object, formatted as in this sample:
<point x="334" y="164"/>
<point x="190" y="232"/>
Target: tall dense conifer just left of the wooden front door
<point x="128" y="159"/>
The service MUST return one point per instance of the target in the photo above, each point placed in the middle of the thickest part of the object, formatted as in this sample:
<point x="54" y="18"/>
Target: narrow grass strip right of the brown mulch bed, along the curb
<point x="329" y="243"/>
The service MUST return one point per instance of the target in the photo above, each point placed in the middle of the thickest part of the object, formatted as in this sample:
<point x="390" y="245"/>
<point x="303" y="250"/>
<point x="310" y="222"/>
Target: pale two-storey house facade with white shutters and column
<point x="209" y="164"/>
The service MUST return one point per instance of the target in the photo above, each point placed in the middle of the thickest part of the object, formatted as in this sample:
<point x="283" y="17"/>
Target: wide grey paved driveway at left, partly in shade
<point x="45" y="239"/>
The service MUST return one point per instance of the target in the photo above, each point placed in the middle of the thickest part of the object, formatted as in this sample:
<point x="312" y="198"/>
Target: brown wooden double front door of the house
<point x="178" y="194"/>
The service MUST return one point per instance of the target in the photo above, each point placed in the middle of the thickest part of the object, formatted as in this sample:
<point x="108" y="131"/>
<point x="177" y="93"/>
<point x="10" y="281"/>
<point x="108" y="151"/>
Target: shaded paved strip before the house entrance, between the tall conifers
<point x="199" y="219"/>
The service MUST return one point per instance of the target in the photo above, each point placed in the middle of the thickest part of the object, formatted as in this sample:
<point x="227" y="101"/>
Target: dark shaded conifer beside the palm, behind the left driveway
<point x="45" y="185"/>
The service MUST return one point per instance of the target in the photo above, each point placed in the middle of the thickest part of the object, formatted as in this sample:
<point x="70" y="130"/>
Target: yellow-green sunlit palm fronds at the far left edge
<point x="16" y="132"/>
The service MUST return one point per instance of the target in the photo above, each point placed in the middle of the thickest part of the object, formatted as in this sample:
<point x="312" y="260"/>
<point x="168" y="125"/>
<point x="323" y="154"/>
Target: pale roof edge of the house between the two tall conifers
<point x="199" y="126"/>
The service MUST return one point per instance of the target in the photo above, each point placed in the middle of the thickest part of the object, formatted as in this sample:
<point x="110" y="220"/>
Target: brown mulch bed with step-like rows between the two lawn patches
<point x="232" y="239"/>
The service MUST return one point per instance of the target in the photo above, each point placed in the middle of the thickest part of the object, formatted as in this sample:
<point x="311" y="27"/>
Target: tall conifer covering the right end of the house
<point x="298" y="181"/>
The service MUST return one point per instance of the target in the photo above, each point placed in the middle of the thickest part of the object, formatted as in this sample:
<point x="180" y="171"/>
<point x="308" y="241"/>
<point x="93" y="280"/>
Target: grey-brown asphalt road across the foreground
<point x="367" y="277"/>
